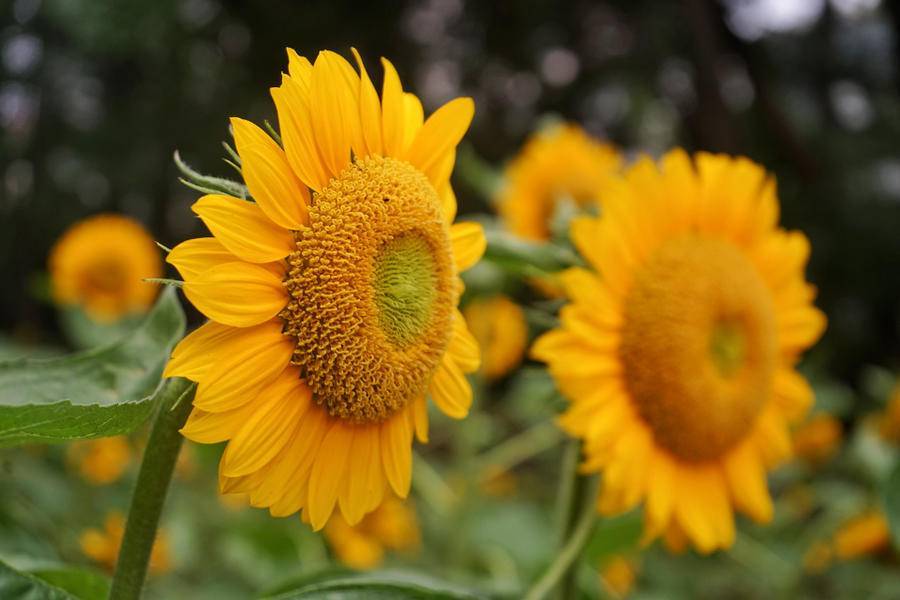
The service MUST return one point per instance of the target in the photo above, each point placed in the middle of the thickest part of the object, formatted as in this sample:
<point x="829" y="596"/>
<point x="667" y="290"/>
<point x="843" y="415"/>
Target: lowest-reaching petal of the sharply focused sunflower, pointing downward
<point x="328" y="473"/>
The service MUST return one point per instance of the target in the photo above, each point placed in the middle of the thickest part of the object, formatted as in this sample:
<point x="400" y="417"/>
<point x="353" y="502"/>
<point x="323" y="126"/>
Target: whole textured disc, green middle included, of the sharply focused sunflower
<point x="372" y="287"/>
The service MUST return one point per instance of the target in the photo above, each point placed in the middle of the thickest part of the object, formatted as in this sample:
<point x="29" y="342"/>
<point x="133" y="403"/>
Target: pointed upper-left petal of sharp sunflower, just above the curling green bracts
<point x="272" y="183"/>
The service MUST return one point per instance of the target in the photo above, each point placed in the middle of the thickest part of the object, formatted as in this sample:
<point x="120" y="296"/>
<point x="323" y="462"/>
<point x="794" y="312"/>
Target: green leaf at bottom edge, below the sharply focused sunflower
<point x="395" y="585"/>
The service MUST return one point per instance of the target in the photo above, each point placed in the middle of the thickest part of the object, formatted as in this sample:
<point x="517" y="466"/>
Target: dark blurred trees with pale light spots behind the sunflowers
<point x="95" y="95"/>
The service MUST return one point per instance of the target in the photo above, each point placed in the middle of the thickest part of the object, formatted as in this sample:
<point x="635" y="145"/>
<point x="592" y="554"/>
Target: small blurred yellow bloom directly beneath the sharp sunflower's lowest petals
<point x="391" y="526"/>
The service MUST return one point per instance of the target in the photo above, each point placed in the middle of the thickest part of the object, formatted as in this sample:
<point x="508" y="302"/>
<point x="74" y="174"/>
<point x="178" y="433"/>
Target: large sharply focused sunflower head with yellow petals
<point x="332" y="297"/>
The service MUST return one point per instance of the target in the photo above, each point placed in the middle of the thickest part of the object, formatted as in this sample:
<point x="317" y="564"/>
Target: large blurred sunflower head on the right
<point x="678" y="350"/>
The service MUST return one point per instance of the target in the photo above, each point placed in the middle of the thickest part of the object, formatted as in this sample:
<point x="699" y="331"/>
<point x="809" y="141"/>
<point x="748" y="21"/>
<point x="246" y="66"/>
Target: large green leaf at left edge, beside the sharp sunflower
<point x="101" y="392"/>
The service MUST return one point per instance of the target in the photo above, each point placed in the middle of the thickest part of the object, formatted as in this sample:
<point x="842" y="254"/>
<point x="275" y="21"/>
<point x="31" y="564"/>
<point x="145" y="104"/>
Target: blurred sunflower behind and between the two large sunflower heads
<point x="560" y="163"/>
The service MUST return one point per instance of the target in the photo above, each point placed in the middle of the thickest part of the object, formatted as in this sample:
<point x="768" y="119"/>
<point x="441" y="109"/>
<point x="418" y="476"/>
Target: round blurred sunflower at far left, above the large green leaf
<point x="100" y="264"/>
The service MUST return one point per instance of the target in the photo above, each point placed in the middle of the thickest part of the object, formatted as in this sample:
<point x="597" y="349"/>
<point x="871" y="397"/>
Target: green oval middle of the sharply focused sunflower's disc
<point x="405" y="279"/>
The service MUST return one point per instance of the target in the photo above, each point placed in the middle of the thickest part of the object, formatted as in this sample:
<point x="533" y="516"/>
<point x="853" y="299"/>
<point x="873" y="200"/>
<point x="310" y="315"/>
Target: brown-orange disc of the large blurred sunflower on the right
<point x="698" y="346"/>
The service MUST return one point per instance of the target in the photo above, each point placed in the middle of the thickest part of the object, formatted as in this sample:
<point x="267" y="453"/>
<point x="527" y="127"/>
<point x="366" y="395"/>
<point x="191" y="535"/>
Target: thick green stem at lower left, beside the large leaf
<point x="176" y="399"/>
